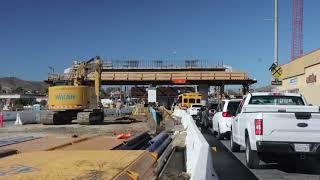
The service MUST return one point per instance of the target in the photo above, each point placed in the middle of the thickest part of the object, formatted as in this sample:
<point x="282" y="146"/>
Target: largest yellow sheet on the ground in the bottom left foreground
<point x="67" y="164"/>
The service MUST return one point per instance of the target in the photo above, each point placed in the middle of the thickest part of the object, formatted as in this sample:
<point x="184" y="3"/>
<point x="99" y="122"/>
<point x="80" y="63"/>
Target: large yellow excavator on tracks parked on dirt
<point x="75" y="97"/>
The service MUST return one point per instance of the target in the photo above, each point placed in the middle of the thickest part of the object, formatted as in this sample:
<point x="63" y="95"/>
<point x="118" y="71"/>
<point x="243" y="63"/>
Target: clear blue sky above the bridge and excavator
<point x="35" y="34"/>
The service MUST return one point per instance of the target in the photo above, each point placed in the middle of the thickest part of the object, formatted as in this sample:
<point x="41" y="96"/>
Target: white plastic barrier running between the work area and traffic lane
<point x="199" y="157"/>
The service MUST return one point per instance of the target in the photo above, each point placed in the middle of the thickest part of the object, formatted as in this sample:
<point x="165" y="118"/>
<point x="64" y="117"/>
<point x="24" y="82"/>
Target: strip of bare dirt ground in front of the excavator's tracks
<point x="111" y="127"/>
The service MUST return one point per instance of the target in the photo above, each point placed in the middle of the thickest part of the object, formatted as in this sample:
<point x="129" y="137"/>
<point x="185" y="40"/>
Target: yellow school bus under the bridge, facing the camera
<point x="185" y="100"/>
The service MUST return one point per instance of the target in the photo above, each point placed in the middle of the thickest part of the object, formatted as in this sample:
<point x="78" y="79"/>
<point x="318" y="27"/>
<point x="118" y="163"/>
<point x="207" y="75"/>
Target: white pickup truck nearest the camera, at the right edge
<point x="275" y="125"/>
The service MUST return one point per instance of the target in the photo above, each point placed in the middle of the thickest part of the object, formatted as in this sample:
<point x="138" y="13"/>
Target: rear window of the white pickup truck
<point x="276" y="100"/>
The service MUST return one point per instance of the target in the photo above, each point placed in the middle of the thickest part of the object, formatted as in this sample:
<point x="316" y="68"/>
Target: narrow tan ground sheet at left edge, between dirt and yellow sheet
<point x="43" y="144"/>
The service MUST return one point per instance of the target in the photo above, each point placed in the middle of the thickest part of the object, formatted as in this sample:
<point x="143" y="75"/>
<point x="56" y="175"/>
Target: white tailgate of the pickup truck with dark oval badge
<point x="288" y="123"/>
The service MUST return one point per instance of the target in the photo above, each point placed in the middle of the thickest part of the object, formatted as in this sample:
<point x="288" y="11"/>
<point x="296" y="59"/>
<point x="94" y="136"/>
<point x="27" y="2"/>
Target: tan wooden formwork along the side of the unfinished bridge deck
<point x="165" y="76"/>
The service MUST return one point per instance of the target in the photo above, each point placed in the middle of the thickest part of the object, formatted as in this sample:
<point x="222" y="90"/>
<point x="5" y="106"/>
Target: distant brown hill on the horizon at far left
<point x="13" y="84"/>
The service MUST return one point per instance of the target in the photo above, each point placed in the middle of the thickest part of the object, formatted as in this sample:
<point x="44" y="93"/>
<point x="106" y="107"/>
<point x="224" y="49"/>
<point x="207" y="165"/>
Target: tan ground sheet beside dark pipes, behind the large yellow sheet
<point x="96" y="143"/>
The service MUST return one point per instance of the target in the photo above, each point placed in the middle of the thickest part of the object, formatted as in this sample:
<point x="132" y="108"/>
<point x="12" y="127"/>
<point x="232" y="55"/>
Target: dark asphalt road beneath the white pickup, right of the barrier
<point x="232" y="165"/>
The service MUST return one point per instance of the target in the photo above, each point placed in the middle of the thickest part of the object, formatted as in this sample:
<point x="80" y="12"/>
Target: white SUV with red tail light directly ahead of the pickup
<point x="221" y="121"/>
